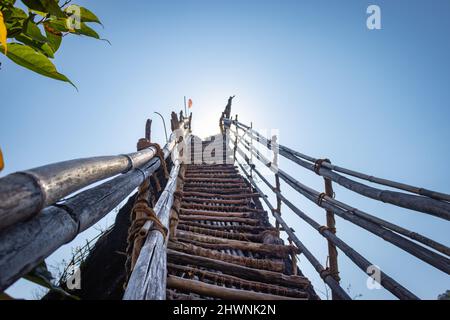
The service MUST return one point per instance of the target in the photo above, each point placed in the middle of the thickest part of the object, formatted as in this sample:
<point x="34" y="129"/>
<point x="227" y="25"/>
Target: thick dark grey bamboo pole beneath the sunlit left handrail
<point x="26" y="244"/>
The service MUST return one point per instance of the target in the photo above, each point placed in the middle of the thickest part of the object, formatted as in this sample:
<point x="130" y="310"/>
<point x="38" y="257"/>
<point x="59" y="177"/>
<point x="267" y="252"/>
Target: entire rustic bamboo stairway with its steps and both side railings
<point x="198" y="225"/>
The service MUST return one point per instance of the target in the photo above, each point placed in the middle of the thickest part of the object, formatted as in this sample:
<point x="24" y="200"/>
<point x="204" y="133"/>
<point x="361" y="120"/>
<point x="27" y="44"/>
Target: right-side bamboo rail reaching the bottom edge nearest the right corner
<point x="386" y="281"/>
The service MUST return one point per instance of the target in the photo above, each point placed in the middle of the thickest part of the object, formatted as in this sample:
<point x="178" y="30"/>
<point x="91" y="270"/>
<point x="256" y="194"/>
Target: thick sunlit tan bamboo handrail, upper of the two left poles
<point x="23" y="194"/>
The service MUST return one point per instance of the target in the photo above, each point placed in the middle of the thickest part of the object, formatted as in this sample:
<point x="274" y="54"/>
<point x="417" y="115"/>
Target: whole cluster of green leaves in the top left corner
<point x="35" y="36"/>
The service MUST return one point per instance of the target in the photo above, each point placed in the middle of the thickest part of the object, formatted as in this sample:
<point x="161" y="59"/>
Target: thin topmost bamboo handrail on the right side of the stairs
<point x="389" y="183"/>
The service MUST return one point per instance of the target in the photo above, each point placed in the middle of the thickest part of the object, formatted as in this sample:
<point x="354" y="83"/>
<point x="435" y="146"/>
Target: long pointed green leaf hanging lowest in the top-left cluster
<point x="29" y="58"/>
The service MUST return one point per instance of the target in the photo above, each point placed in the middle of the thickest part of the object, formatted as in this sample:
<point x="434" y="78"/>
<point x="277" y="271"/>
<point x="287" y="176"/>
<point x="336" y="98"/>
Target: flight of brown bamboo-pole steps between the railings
<point x="223" y="246"/>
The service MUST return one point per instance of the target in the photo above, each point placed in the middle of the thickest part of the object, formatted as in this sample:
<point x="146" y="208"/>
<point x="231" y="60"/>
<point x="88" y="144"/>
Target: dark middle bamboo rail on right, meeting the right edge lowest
<point x="362" y="219"/>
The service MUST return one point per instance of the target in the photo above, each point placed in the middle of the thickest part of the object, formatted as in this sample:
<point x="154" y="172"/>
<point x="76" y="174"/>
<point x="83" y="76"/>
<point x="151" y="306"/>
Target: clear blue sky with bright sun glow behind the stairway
<point x="375" y="101"/>
